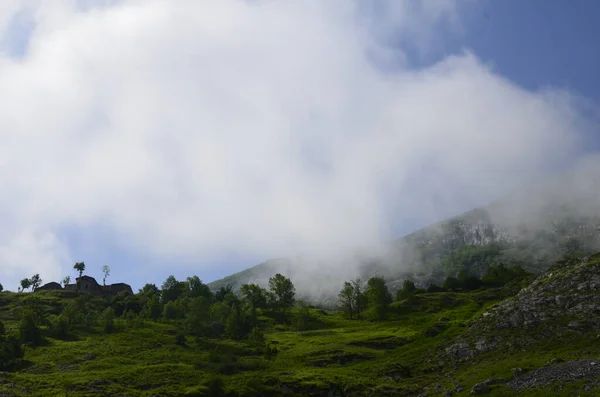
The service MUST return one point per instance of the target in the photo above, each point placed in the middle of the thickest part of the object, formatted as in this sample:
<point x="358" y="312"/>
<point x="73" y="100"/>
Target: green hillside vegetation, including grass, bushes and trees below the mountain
<point x="185" y="340"/>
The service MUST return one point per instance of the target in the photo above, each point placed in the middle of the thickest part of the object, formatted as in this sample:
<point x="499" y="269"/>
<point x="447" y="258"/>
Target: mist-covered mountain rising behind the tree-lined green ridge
<point x="533" y="228"/>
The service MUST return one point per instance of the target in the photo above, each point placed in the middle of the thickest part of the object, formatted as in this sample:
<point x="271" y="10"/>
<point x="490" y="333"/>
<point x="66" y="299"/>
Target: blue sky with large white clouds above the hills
<point x="187" y="137"/>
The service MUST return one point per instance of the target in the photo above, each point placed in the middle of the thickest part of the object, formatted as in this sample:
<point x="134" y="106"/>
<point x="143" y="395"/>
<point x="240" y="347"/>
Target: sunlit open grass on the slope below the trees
<point x="145" y="360"/>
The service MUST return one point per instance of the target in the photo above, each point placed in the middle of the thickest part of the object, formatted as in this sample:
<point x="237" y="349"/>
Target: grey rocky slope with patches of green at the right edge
<point x="564" y="299"/>
